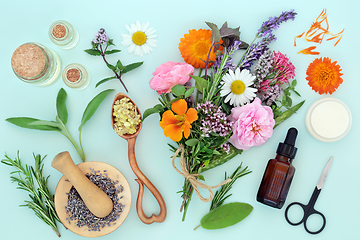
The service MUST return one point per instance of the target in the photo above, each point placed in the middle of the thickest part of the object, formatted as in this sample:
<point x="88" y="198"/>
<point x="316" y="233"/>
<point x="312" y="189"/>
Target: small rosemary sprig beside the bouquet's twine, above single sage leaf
<point x="220" y="195"/>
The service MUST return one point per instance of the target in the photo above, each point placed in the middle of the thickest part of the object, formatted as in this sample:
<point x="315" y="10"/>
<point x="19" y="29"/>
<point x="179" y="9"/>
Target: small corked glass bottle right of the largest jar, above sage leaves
<point x="76" y="76"/>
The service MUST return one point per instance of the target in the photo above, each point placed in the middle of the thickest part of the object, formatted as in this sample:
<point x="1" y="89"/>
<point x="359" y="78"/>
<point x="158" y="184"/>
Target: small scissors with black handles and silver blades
<point x="309" y="208"/>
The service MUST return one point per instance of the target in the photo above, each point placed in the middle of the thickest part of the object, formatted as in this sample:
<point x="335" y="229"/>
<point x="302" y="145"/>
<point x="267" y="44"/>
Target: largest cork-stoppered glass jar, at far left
<point x="34" y="63"/>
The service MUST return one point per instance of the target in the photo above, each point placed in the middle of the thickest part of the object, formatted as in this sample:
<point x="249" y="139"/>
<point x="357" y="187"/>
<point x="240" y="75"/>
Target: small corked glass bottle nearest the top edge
<point x="63" y="34"/>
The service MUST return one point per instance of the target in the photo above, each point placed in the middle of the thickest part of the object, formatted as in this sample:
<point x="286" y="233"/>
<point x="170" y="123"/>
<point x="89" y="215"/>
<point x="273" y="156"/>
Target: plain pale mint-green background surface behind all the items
<point x="24" y="21"/>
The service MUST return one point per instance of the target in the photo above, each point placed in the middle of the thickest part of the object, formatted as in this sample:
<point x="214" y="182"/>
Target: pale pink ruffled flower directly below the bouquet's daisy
<point x="253" y="125"/>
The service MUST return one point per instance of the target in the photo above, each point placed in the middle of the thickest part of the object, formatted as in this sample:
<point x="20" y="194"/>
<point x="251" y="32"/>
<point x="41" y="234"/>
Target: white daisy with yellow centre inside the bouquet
<point x="236" y="87"/>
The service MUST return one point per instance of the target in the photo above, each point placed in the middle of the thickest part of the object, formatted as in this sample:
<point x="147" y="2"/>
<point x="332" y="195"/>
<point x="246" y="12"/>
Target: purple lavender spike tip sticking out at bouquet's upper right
<point x="274" y="22"/>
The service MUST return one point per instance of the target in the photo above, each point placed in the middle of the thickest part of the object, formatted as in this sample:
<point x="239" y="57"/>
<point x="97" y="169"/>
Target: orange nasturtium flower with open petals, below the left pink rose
<point x="175" y="125"/>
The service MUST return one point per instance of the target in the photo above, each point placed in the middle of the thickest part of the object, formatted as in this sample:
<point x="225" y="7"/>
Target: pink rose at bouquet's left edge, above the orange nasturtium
<point x="169" y="74"/>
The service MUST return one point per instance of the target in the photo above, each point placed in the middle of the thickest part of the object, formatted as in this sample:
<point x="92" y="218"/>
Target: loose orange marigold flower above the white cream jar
<point x="324" y="76"/>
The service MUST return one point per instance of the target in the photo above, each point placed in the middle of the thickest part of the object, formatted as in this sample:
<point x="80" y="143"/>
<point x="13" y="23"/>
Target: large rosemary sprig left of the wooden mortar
<point x="42" y="201"/>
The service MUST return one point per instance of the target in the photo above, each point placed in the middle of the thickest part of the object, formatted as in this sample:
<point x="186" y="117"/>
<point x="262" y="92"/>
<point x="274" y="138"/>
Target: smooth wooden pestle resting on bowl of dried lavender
<point x="96" y="200"/>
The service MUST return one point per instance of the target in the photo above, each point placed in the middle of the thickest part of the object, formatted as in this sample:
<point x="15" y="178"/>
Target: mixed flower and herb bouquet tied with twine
<point x="231" y="108"/>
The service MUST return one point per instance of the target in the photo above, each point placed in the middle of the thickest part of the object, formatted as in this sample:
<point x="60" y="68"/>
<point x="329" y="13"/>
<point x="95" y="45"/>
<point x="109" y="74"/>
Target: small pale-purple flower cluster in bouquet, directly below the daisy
<point x="213" y="120"/>
